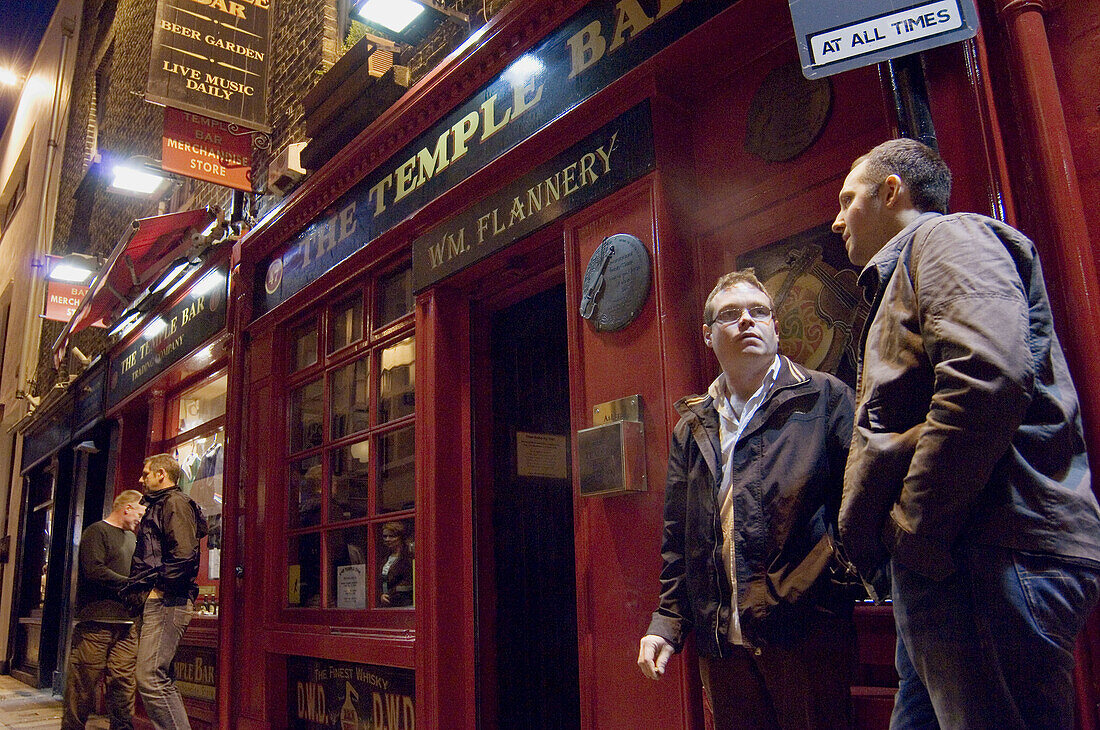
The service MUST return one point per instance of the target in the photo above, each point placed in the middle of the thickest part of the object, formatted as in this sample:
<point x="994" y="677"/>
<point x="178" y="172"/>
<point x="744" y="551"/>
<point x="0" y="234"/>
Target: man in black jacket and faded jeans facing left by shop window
<point x="162" y="583"/>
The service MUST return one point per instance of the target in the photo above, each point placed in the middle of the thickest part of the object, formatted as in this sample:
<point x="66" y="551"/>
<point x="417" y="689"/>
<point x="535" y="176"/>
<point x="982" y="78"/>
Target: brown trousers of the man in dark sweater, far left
<point x="101" y="650"/>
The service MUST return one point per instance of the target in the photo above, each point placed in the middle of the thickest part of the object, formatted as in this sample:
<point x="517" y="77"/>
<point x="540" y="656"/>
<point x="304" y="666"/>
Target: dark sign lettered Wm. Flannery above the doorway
<point x="618" y="154"/>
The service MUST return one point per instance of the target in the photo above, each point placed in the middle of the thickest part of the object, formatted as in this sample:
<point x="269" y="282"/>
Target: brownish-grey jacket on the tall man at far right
<point x="967" y="424"/>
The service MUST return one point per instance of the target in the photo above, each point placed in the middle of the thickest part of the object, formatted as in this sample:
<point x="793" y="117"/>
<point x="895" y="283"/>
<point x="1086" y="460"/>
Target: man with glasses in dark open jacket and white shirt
<point x="754" y="482"/>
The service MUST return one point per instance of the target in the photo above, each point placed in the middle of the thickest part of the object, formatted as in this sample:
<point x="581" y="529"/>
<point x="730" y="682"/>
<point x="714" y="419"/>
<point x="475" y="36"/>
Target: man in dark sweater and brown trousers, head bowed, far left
<point x="103" y="641"/>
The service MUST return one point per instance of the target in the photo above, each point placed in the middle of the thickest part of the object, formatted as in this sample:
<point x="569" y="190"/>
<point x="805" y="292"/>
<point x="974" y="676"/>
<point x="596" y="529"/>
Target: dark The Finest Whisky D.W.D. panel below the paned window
<point x="331" y="695"/>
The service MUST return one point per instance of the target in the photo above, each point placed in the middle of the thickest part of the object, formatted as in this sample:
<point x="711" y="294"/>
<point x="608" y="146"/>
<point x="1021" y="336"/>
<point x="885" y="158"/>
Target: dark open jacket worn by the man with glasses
<point x="788" y="471"/>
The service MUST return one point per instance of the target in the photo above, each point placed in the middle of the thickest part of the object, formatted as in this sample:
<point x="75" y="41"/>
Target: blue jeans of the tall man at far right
<point x="993" y="645"/>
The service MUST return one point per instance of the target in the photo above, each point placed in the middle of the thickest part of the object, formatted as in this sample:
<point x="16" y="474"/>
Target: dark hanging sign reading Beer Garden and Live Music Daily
<point x="211" y="58"/>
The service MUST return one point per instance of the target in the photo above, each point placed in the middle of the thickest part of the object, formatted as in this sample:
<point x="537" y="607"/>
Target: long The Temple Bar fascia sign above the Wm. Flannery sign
<point x="600" y="45"/>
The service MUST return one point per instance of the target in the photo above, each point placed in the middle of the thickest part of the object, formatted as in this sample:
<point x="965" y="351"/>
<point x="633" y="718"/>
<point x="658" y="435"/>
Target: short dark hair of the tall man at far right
<point x="919" y="167"/>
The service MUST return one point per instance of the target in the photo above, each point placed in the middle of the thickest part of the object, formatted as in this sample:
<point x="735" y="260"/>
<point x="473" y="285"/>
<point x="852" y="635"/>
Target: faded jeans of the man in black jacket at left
<point x="160" y="631"/>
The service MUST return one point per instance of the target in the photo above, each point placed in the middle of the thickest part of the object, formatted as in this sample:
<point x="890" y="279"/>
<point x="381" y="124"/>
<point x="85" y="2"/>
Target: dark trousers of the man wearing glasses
<point x="806" y="687"/>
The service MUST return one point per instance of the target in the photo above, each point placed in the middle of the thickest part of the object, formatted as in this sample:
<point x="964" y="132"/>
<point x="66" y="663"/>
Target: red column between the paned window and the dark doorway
<point x="446" y="656"/>
